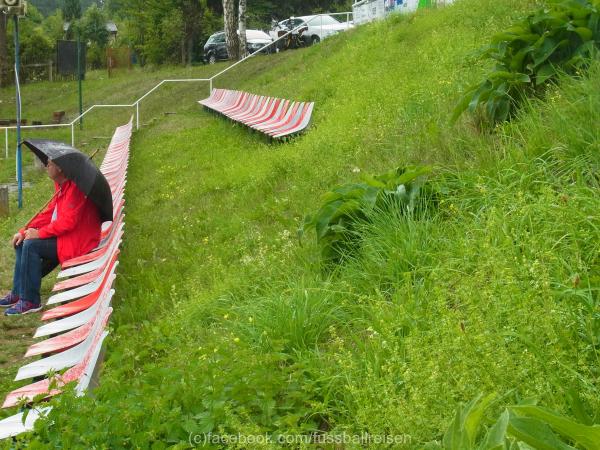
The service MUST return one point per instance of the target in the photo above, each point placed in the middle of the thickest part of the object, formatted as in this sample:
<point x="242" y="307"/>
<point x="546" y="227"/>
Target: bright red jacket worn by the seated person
<point x="77" y="227"/>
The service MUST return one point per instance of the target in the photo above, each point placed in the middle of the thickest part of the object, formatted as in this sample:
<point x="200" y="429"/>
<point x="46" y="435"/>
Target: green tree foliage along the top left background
<point x="158" y="31"/>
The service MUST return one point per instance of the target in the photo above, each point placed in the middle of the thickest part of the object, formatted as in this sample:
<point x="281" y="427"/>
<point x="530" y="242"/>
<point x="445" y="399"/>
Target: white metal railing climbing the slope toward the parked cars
<point x="136" y="104"/>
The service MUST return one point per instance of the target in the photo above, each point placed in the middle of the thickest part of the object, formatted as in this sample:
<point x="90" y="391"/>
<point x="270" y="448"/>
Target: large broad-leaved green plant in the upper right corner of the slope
<point x="561" y="37"/>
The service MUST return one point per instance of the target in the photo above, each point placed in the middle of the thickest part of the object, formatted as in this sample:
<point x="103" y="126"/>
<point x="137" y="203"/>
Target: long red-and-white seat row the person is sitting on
<point x="77" y="326"/>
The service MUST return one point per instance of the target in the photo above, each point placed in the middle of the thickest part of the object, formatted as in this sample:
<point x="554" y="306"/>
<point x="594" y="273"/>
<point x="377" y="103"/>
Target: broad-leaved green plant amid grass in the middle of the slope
<point x="345" y="207"/>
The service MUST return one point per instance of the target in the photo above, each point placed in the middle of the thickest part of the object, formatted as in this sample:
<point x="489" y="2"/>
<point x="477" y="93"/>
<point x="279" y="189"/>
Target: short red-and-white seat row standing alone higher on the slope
<point x="275" y="117"/>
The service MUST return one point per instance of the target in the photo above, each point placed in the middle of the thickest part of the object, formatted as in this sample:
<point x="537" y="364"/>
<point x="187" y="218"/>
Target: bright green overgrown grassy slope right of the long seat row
<point x="223" y="323"/>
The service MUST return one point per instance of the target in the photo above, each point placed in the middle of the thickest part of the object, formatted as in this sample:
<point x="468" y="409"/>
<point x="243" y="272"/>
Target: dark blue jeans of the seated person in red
<point x="36" y="258"/>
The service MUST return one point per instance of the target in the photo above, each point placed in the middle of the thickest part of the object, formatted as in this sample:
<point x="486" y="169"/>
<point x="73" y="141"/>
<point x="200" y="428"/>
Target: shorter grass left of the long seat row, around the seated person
<point x="39" y="100"/>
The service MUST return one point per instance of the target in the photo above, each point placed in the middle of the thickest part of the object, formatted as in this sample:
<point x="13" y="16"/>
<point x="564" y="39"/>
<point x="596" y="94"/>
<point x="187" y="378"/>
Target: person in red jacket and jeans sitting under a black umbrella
<point x="68" y="227"/>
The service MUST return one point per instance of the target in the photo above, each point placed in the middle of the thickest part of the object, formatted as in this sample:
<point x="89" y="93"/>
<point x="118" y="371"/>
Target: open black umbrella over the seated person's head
<point x="78" y="167"/>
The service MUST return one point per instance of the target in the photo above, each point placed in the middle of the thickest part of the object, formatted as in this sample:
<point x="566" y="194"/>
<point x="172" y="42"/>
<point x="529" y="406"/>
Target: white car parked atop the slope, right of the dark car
<point x="313" y="28"/>
